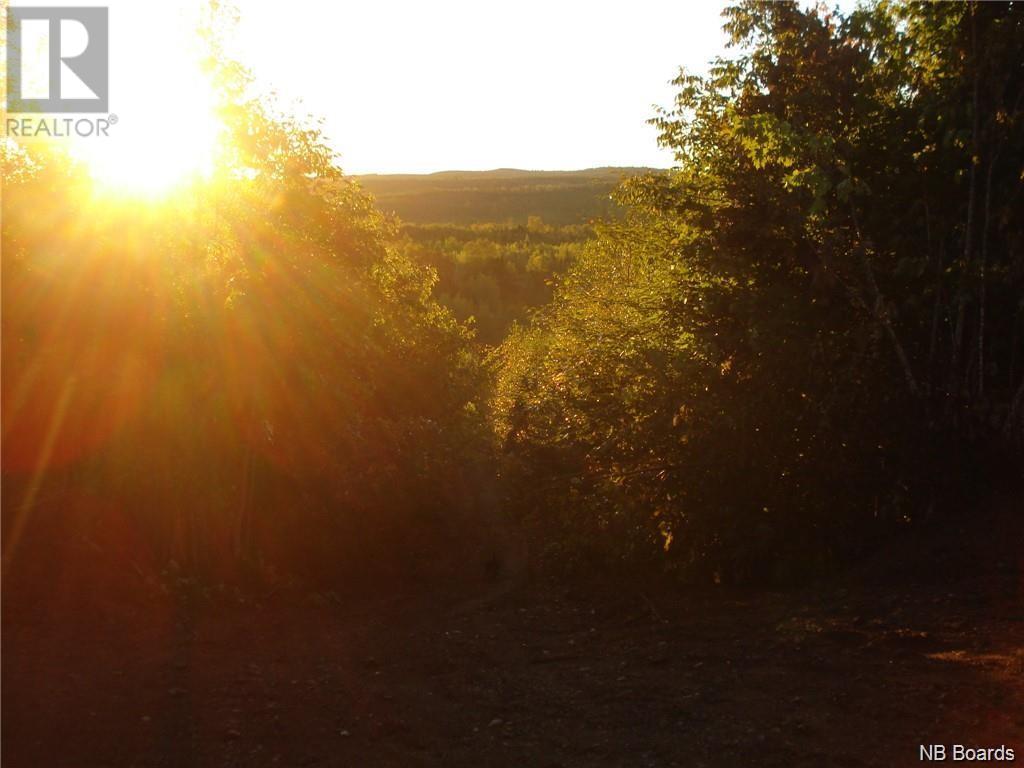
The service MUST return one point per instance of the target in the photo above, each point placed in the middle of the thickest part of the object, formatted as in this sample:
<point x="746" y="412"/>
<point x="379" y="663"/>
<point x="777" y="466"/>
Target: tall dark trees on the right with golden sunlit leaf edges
<point x="812" y="331"/>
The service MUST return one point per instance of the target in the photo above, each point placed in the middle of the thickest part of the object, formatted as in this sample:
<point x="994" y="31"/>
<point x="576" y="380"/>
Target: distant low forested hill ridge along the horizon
<point x="504" y="196"/>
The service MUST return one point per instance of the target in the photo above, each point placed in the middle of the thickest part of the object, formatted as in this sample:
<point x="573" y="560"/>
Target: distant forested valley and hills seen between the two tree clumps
<point x="490" y="236"/>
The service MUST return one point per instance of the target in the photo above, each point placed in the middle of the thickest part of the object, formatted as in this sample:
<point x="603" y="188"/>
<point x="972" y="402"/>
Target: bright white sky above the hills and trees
<point x="420" y="87"/>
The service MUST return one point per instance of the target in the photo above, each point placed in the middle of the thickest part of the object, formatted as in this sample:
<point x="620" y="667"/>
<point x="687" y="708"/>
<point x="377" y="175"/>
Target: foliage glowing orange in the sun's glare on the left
<point x="244" y="368"/>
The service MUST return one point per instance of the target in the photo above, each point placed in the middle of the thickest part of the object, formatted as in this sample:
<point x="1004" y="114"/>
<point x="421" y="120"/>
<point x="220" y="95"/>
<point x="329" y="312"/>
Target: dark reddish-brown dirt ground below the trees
<point x="541" y="675"/>
